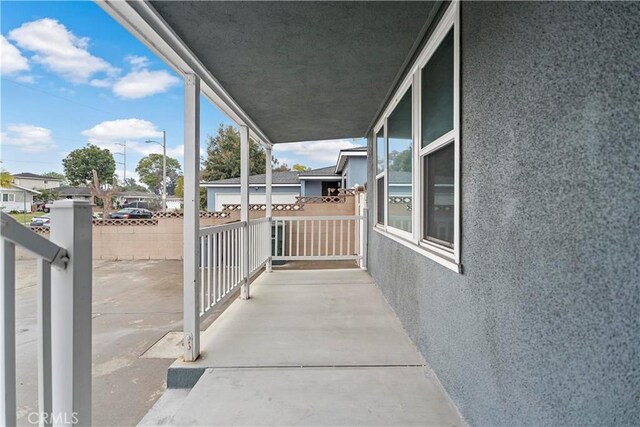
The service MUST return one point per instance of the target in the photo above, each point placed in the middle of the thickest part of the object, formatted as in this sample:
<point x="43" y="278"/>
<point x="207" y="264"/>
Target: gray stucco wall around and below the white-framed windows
<point x="542" y="327"/>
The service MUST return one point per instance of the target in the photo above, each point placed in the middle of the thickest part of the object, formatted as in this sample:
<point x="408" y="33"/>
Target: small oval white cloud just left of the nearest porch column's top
<point x="142" y="83"/>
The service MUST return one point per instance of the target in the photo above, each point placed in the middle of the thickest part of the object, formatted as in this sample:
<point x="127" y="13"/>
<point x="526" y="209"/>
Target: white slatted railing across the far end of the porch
<point x="318" y="238"/>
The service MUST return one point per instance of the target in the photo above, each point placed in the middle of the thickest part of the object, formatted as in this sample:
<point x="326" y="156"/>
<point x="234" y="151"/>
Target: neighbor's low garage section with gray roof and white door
<point x="285" y="189"/>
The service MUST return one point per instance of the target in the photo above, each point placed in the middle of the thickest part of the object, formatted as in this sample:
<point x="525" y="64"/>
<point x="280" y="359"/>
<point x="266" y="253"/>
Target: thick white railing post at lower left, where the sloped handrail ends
<point x="71" y="228"/>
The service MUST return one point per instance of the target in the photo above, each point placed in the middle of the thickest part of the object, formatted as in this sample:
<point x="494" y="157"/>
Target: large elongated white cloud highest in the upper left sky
<point x="59" y="50"/>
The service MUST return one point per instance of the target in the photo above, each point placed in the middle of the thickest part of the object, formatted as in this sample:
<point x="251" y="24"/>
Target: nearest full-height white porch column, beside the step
<point x="191" y="217"/>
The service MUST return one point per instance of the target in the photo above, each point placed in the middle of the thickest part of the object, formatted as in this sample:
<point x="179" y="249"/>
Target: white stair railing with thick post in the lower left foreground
<point x="63" y="315"/>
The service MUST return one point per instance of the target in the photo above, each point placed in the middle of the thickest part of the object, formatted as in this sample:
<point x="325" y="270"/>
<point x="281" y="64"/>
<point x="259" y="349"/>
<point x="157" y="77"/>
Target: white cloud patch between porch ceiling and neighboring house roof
<point x="312" y="152"/>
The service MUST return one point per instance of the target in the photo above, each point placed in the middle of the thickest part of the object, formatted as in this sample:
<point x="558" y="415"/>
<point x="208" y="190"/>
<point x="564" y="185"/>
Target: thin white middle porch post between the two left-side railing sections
<point x="244" y="208"/>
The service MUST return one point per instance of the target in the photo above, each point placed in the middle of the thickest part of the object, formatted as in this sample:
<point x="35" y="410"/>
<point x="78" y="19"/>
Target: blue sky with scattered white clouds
<point x="71" y="75"/>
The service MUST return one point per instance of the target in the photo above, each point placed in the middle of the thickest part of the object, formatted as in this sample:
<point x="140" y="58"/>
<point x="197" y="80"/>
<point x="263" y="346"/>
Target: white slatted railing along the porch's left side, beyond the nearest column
<point x="221" y="248"/>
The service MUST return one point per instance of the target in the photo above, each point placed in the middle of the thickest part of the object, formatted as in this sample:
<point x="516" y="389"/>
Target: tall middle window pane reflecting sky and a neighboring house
<point x="399" y="153"/>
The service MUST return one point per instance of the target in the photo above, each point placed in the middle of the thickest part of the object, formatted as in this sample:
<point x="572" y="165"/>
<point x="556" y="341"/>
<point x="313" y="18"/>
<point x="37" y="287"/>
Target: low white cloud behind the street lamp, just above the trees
<point x="132" y="131"/>
